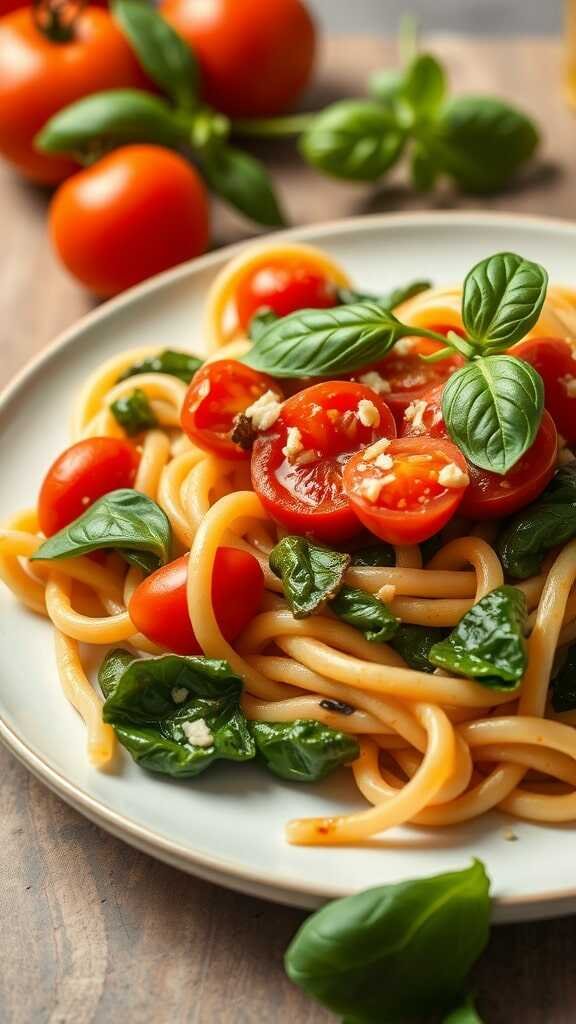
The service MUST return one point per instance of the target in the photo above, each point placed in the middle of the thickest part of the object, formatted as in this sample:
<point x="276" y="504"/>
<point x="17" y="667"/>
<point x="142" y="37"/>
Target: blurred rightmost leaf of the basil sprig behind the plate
<point x="481" y="142"/>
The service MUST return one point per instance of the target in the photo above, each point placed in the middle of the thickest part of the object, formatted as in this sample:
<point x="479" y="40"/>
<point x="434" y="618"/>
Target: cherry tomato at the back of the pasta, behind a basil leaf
<point x="283" y="286"/>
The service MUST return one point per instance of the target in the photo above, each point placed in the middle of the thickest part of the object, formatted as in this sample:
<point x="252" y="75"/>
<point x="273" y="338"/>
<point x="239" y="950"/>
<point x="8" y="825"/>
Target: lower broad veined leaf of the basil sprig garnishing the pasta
<point x="492" y="410"/>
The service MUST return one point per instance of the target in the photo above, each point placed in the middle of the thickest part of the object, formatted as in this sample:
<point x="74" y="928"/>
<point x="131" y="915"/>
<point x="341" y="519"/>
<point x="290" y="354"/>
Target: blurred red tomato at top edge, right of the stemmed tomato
<point x="256" y="56"/>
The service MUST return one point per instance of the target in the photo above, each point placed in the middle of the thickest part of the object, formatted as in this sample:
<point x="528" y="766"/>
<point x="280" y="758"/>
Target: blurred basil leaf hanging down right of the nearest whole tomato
<point x="244" y="183"/>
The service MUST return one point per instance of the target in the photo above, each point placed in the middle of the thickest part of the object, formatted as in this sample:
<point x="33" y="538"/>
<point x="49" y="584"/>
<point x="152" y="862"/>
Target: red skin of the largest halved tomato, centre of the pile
<point x="336" y="522"/>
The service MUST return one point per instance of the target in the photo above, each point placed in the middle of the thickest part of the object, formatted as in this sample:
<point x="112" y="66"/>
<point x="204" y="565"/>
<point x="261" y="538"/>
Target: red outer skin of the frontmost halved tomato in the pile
<point x="407" y="526"/>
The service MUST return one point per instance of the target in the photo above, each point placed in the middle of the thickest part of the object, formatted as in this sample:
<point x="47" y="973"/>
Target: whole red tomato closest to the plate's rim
<point x="140" y="210"/>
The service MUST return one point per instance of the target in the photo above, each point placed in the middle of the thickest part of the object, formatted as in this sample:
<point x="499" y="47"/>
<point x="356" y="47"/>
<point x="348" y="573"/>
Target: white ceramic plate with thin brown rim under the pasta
<point x="228" y="826"/>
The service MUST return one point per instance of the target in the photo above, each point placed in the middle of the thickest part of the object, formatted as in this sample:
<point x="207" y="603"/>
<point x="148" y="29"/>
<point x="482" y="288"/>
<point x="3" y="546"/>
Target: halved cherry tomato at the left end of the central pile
<point x="220" y="392"/>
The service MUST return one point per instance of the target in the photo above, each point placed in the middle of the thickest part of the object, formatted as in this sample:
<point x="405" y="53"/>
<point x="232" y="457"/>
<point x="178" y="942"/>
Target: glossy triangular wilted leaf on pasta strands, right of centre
<point x="488" y="645"/>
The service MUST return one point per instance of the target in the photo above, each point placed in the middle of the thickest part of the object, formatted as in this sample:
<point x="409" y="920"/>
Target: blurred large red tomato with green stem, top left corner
<point x="39" y="77"/>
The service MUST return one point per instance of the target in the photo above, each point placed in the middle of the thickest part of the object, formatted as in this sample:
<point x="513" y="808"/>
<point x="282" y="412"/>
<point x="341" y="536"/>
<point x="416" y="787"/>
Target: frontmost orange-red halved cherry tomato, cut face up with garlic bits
<point x="398" y="496"/>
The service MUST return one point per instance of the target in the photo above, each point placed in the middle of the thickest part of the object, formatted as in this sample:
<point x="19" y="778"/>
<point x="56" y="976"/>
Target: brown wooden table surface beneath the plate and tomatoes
<point x="94" y="932"/>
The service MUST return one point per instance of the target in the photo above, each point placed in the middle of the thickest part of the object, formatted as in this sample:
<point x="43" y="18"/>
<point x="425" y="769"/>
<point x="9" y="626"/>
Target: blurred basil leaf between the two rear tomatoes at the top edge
<point x="161" y="52"/>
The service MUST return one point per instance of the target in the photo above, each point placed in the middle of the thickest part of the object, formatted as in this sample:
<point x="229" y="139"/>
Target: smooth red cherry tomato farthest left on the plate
<point x="80" y="476"/>
